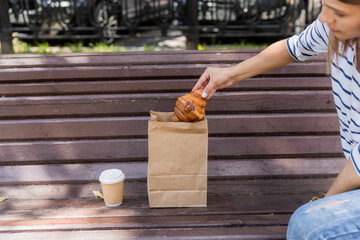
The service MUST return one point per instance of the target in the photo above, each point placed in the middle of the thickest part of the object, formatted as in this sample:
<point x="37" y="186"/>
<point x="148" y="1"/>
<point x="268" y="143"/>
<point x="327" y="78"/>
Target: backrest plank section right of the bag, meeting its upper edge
<point x="297" y="123"/>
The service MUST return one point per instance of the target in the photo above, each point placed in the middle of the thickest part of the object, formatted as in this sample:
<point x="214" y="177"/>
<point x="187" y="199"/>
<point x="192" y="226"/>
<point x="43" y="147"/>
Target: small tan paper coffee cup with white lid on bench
<point x="112" y="184"/>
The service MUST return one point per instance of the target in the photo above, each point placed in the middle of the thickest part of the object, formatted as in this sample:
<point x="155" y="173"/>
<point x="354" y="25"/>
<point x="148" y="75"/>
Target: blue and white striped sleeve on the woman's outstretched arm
<point x="313" y="40"/>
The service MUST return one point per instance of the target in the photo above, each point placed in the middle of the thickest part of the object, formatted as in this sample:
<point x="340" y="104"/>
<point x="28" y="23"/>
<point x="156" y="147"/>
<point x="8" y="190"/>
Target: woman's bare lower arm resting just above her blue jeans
<point x="347" y="180"/>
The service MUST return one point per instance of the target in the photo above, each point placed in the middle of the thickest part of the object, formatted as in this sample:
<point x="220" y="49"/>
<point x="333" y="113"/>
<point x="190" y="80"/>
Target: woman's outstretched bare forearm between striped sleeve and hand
<point x="274" y="56"/>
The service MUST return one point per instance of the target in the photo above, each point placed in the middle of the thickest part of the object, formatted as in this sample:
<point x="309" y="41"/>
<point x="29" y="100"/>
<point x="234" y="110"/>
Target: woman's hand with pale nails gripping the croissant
<point x="213" y="79"/>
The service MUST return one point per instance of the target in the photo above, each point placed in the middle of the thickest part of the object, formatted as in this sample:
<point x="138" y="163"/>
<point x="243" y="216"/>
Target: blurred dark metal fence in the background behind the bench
<point x="109" y="20"/>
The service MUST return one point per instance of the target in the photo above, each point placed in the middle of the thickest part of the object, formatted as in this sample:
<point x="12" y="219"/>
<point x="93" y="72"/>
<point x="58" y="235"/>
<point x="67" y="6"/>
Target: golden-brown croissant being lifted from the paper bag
<point x="190" y="107"/>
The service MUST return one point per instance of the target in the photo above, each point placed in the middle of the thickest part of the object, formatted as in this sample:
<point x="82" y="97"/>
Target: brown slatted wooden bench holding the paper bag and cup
<point x="273" y="144"/>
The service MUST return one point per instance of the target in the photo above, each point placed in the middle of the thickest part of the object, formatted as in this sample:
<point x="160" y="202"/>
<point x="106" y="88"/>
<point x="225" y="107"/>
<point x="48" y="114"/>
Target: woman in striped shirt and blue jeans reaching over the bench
<point x="337" y="32"/>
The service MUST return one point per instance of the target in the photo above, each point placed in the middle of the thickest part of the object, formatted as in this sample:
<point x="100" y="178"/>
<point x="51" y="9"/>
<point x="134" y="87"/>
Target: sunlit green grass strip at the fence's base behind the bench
<point x="75" y="47"/>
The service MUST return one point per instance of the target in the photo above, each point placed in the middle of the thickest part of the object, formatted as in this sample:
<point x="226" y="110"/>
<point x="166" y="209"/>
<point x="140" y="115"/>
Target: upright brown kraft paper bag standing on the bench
<point x="177" y="167"/>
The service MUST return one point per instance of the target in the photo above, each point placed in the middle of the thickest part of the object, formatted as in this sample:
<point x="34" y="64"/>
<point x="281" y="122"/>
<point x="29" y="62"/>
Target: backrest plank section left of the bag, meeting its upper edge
<point x="73" y="128"/>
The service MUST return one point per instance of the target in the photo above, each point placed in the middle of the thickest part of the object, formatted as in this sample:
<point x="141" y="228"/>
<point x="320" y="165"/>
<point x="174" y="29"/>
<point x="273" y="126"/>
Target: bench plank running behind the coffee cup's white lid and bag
<point x="218" y="169"/>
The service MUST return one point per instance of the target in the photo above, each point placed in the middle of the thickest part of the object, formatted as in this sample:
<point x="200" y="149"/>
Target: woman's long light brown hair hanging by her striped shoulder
<point x="333" y="45"/>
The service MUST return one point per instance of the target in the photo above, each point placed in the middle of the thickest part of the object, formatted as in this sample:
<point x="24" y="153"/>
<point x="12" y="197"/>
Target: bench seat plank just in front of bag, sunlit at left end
<point x="150" y="222"/>
